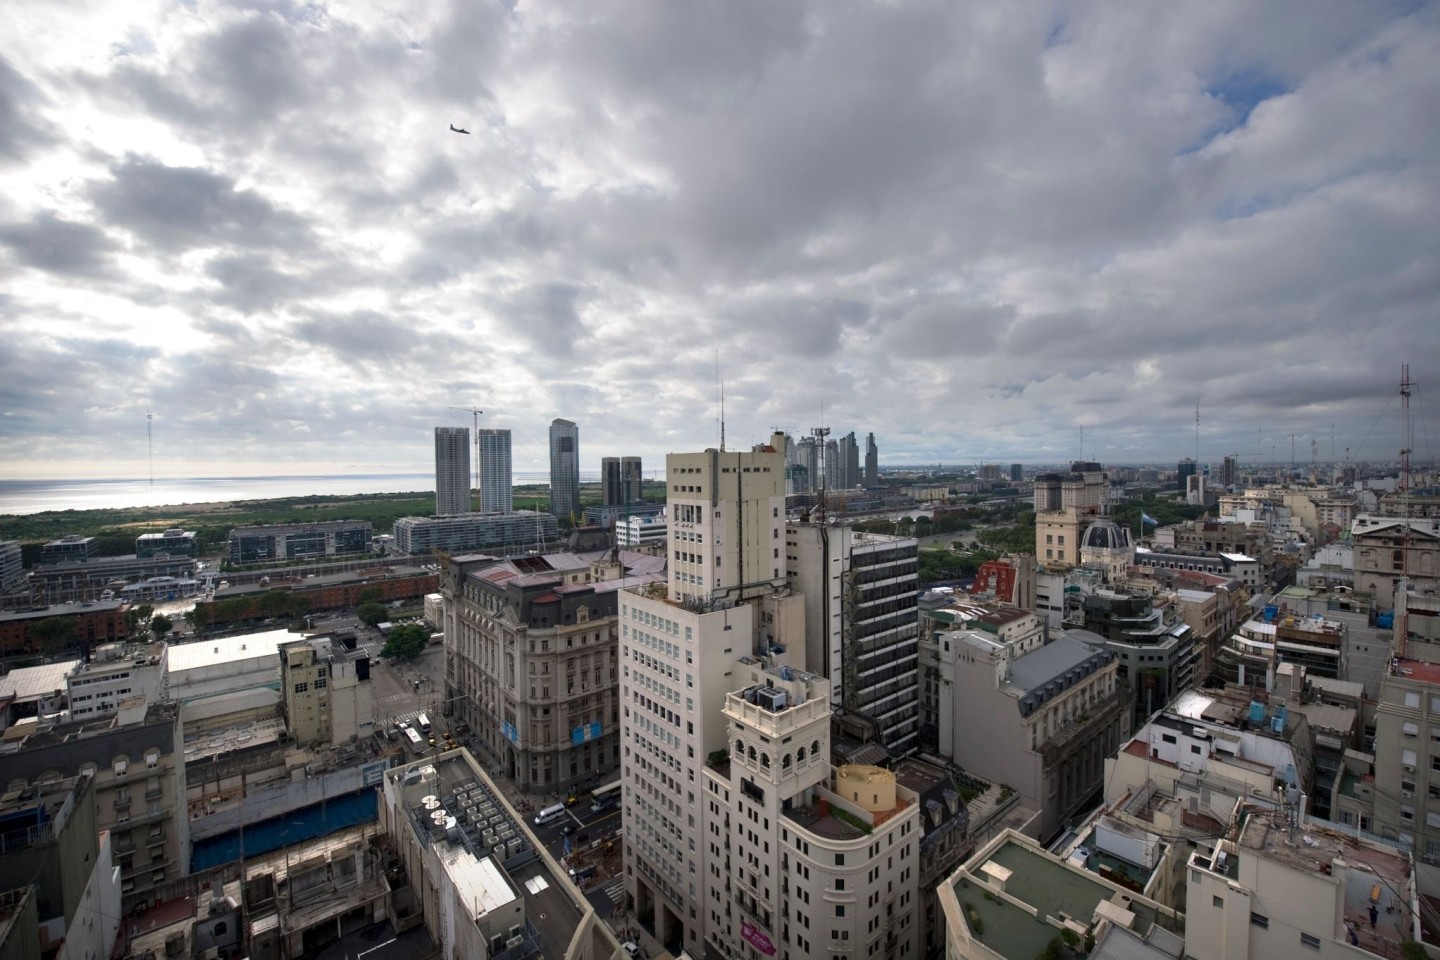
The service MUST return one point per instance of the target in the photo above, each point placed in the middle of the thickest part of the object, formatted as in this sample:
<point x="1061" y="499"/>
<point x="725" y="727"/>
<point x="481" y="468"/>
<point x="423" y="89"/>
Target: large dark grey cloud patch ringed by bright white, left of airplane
<point x="185" y="208"/>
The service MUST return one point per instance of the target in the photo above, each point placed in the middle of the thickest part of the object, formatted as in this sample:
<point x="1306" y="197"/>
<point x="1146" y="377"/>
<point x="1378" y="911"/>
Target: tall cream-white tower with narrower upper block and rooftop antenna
<point x="725" y="599"/>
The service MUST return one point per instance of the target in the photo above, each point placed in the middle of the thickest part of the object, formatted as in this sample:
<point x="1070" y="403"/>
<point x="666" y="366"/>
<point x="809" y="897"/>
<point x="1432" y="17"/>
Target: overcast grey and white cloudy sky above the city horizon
<point x="976" y="230"/>
